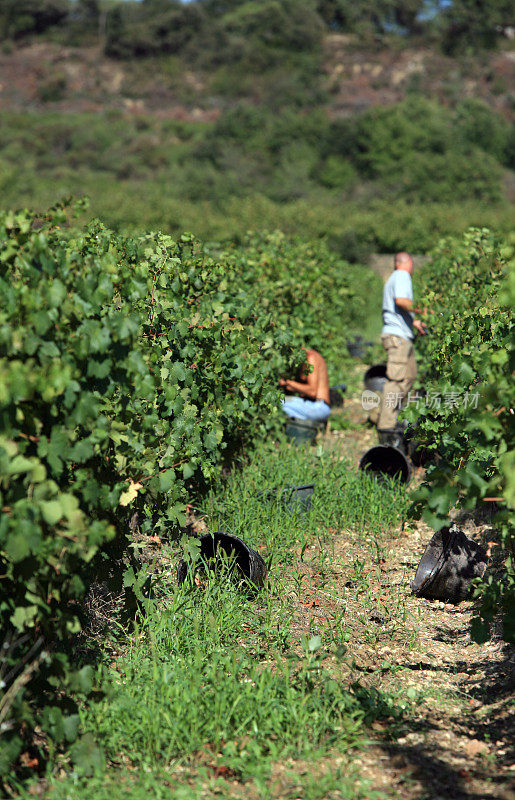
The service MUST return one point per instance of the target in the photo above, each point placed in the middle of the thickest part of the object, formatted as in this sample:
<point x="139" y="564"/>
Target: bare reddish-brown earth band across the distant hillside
<point x="48" y="76"/>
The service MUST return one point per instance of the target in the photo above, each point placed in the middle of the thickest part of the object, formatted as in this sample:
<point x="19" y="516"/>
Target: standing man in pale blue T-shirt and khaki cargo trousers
<point x="397" y="338"/>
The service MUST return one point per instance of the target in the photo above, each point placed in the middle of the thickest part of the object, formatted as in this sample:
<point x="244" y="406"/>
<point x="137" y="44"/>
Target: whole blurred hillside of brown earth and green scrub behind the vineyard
<point x="374" y="143"/>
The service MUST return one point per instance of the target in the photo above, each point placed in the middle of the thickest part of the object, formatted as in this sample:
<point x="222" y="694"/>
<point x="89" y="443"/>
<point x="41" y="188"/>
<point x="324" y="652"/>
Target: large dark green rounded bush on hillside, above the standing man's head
<point x="420" y="150"/>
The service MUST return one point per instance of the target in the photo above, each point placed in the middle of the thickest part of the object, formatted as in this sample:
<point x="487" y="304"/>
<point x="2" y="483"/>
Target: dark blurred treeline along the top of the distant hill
<point x="222" y="31"/>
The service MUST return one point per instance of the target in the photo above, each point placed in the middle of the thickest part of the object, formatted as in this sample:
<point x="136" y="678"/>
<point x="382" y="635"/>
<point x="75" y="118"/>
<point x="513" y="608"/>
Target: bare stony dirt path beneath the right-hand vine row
<point x="458" y="741"/>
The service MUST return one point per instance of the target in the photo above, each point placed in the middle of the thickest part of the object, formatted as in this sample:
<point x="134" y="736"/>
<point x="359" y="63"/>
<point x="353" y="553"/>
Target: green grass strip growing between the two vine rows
<point x="219" y="681"/>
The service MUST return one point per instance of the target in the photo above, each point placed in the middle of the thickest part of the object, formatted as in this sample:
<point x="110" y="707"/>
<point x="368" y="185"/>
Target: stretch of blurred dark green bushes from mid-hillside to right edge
<point x="415" y="150"/>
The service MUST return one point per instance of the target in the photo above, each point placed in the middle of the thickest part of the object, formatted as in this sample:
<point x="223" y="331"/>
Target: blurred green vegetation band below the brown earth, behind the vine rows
<point x="384" y="180"/>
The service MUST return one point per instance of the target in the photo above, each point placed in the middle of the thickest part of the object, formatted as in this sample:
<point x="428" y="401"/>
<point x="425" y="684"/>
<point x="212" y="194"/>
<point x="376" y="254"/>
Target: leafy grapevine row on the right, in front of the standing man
<point x="467" y="417"/>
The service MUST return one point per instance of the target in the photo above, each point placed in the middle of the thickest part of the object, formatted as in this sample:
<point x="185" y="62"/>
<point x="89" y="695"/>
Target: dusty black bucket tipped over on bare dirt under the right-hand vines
<point x="449" y="564"/>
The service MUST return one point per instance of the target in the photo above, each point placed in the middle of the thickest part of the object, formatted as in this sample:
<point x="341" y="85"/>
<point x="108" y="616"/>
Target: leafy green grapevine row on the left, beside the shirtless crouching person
<point x="130" y="368"/>
